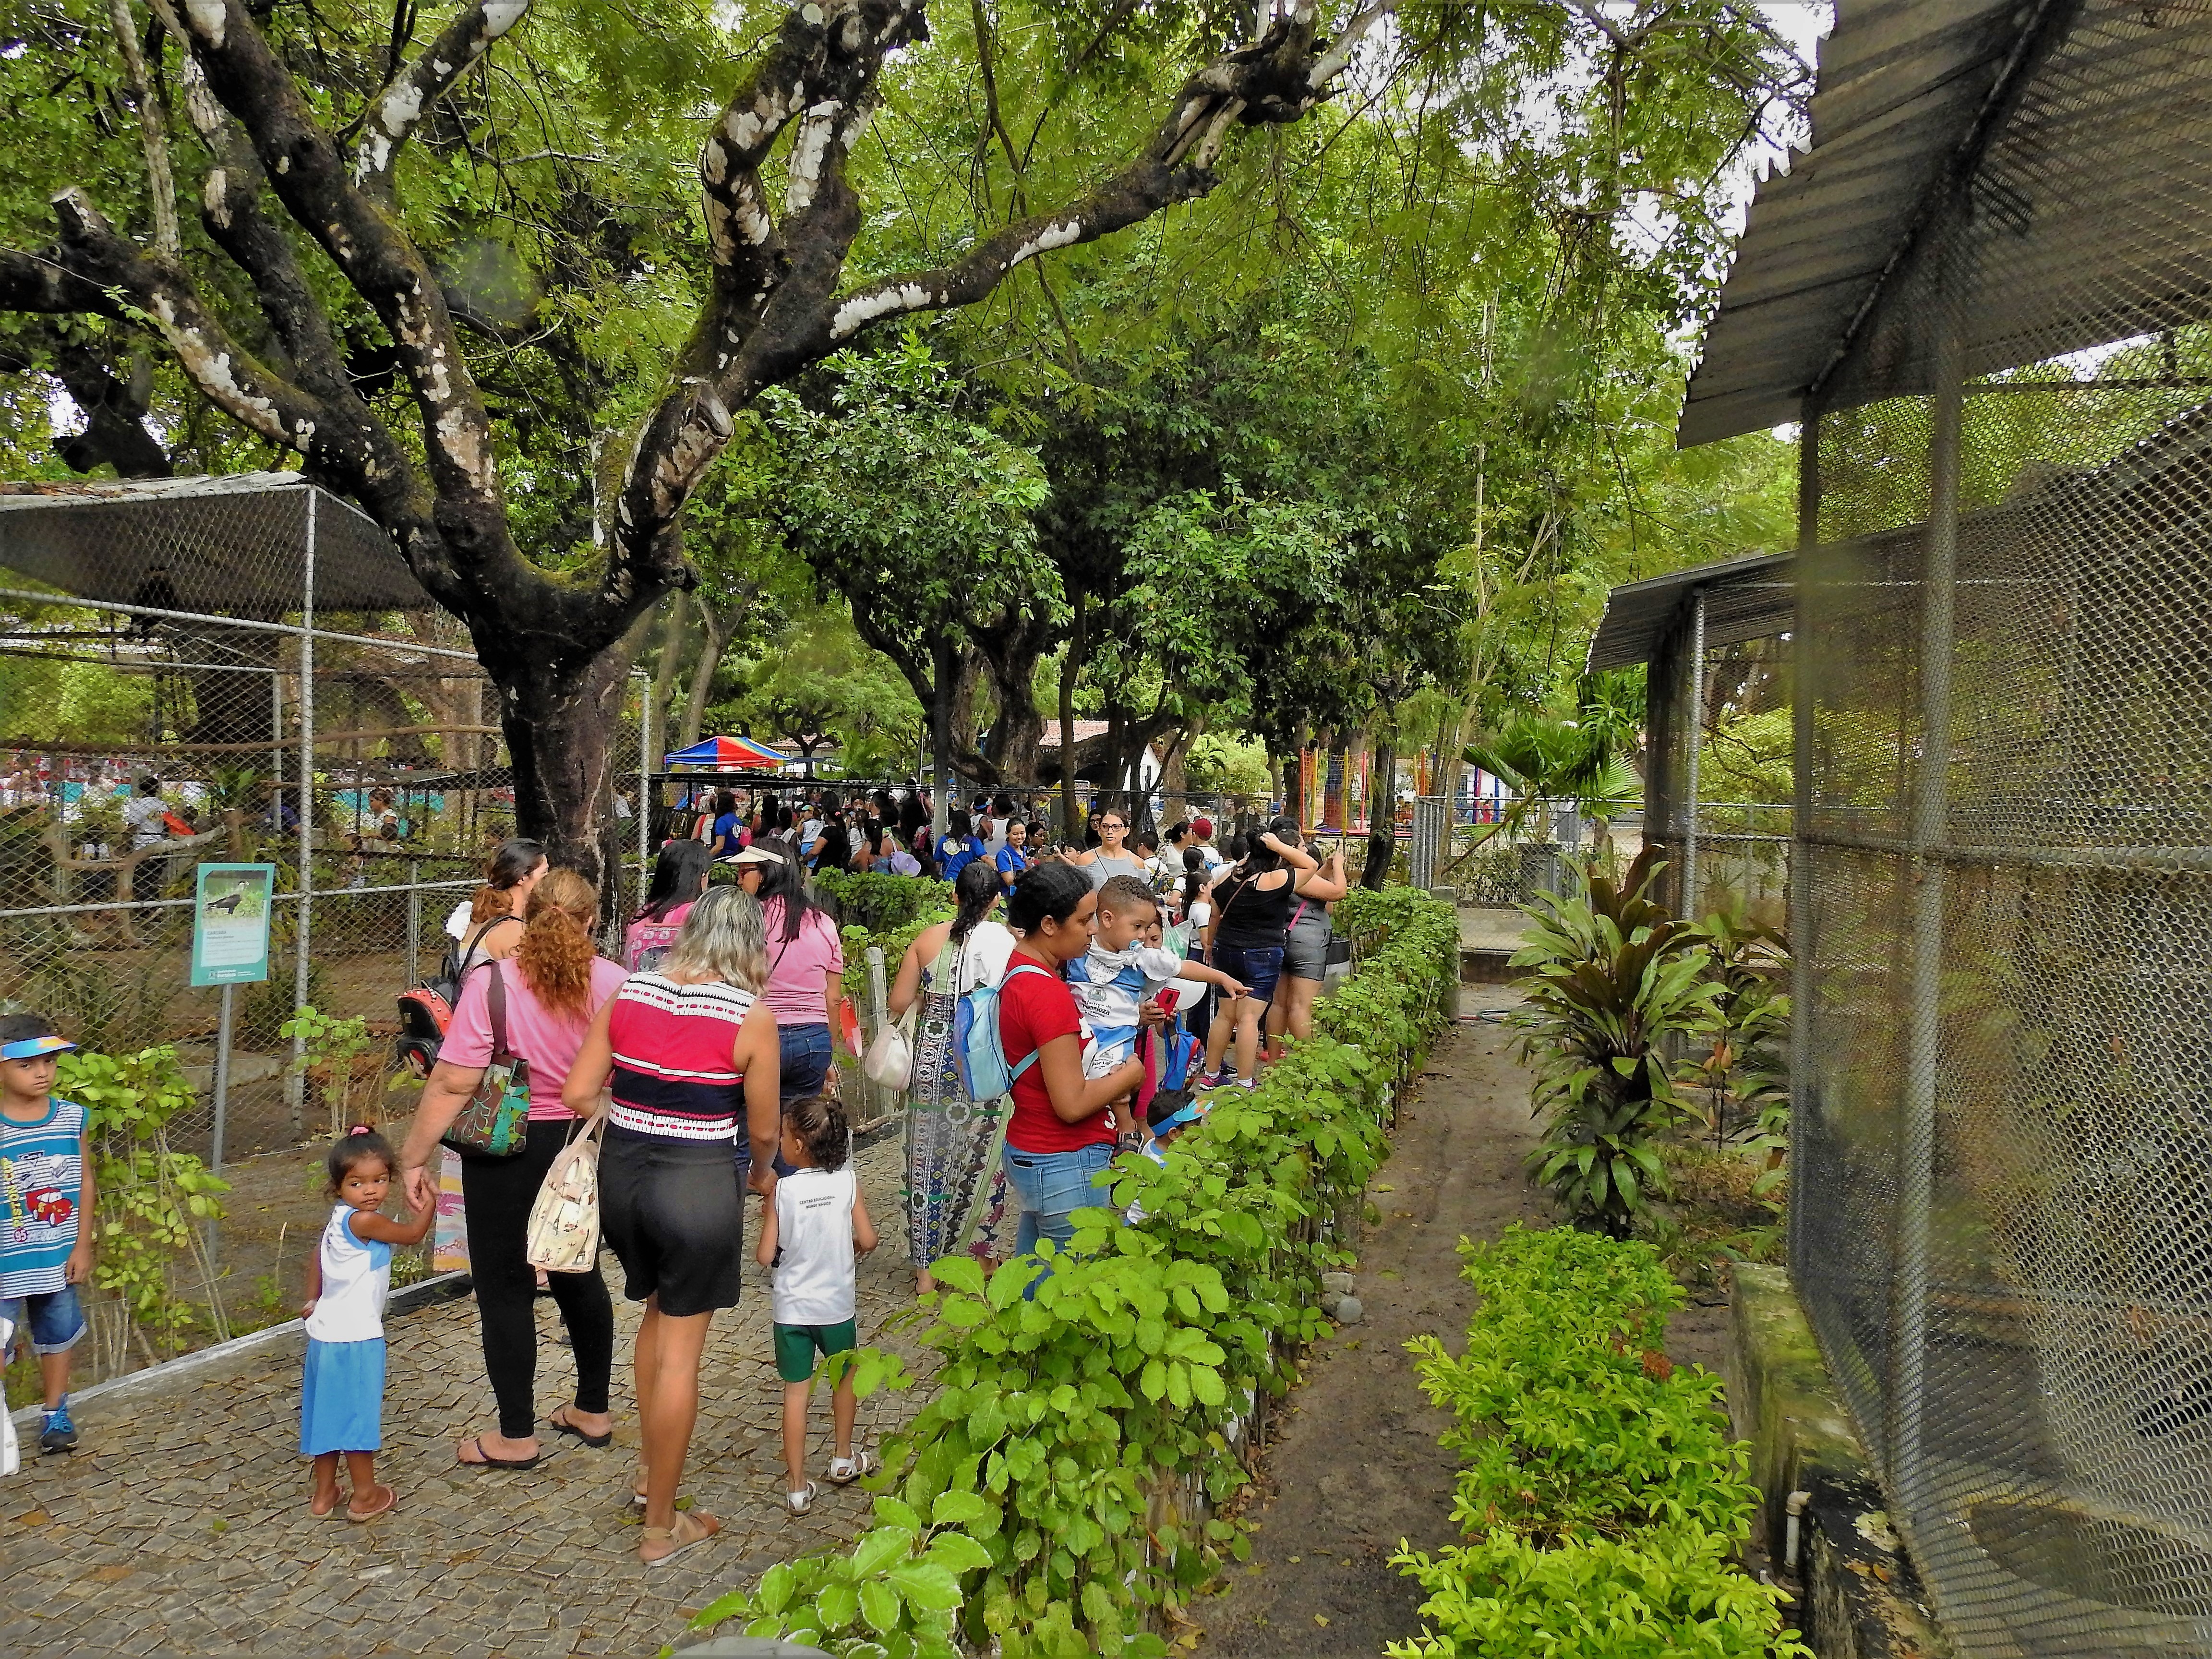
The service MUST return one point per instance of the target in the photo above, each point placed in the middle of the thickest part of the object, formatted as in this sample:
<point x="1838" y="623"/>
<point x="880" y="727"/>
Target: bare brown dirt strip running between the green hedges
<point x="1357" y="1465"/>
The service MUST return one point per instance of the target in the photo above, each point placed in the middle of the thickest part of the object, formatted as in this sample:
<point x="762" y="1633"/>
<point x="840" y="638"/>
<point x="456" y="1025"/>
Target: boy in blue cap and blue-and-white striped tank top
<point x="45" y="1196"/>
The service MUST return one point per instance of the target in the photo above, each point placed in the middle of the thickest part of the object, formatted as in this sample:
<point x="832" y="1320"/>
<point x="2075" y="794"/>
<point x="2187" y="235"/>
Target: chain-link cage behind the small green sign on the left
<point x="169" y="636"/>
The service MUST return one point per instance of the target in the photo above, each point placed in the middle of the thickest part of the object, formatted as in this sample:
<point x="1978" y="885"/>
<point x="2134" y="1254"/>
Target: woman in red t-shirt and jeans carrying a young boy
<point x="1063" y="1129"/>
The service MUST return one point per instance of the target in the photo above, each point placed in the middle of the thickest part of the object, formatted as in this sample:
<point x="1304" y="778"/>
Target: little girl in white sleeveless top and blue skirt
<point x="344" y="1392"/>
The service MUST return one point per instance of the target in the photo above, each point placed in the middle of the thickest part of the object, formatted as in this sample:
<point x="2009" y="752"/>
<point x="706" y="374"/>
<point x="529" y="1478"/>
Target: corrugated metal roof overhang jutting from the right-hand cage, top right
<point x="1901" y="90"/>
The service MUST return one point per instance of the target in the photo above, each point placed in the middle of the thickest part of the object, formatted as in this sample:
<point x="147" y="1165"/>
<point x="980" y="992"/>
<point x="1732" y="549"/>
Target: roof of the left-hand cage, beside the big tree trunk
<point x="231" y="545"/>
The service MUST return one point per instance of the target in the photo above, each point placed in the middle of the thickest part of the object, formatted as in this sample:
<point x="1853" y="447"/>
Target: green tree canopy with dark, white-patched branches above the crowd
<point x="1229" y="366"/>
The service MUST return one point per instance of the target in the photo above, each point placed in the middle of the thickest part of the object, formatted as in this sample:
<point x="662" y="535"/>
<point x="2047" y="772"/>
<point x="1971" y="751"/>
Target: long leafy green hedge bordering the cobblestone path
<point x="1021" y="1507"/>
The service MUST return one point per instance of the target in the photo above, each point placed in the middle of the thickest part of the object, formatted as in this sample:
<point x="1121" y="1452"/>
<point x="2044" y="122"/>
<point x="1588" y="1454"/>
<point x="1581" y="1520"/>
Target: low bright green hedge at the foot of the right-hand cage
<point x="1600" y="1490"/>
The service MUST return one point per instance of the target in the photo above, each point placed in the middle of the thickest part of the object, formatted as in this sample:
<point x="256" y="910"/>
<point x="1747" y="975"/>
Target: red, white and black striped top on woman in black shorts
<point x="674" y="1074"/>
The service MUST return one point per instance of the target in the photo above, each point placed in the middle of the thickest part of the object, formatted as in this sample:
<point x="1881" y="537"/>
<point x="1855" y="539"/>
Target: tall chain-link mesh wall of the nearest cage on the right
<point x="2005" y="912"/>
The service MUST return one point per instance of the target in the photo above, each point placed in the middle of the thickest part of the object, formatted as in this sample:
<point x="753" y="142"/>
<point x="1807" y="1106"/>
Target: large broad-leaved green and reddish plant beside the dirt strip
<point x="1614" y="981"/>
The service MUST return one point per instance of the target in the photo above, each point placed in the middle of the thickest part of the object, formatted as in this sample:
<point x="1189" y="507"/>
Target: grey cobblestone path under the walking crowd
<point x="182" y="1523"/>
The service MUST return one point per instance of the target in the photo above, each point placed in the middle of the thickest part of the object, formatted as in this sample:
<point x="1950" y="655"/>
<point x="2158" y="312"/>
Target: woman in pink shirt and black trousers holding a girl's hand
<point x="552" y="988"/>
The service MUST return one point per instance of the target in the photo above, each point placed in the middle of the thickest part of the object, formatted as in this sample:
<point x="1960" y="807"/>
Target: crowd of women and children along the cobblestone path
<point x="707" y="1065"/>
